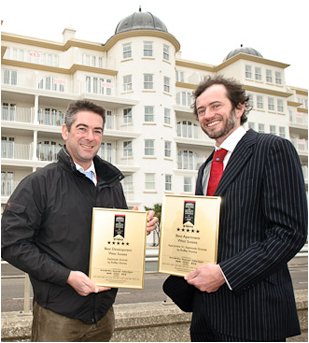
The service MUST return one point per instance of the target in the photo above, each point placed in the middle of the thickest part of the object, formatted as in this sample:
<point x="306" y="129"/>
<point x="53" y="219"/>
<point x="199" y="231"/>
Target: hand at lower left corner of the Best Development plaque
<point x="83" y="285"/>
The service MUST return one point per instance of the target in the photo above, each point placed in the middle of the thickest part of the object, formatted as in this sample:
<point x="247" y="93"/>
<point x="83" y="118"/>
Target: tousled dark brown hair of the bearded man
<point x="235" y="93"/>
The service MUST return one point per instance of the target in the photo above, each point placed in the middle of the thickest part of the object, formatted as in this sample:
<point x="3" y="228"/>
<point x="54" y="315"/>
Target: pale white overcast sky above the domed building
<point x="207" y="30"/>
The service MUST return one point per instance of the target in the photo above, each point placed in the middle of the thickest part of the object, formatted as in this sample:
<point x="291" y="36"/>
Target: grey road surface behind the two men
<point x="12" y="286"/>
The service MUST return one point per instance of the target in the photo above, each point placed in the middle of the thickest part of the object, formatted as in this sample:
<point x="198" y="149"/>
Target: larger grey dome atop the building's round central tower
<point x="140" y="21"/>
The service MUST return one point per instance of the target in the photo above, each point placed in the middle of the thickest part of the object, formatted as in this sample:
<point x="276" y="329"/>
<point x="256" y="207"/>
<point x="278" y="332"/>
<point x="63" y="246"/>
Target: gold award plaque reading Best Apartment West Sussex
<point x="189" y="233"/>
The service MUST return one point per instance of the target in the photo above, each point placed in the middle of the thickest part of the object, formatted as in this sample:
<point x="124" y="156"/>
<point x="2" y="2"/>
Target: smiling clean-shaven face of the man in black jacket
<point x="84" y="139"/>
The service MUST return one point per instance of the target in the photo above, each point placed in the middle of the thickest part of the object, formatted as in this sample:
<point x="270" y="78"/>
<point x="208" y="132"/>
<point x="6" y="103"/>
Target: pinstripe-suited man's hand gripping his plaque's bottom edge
<point x="207" y="278"/>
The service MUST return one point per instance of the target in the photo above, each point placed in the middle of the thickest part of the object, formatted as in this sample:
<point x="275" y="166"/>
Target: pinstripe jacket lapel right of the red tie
<point x="239" y="158"/>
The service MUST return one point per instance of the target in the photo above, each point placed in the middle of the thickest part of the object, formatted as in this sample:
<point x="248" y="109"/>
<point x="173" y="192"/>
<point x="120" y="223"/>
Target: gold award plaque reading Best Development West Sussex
<point x="118" y="245"/>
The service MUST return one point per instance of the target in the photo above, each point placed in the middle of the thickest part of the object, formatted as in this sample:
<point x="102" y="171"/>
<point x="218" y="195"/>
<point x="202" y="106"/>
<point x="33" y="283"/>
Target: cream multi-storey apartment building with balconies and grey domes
<point x="139" y="77"/>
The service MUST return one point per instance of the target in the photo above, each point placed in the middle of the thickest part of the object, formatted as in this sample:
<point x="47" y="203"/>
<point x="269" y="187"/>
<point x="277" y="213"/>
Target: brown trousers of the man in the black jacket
<point x="48" y="326"/>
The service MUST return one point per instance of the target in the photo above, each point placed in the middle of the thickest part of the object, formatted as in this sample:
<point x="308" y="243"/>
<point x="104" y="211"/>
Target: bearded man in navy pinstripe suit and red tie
<point x="248" y="295"/>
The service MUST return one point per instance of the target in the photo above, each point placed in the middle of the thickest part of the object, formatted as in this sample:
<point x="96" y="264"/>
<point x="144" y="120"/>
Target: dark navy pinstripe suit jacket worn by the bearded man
<point x="263" y="224"/>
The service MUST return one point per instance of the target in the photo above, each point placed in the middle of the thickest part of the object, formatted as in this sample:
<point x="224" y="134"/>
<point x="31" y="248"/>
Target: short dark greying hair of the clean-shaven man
<point x="81" y="105"/>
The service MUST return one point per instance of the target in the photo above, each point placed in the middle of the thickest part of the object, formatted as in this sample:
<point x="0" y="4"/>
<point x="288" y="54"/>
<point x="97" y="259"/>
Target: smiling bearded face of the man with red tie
<point x="216" y="115"/>
